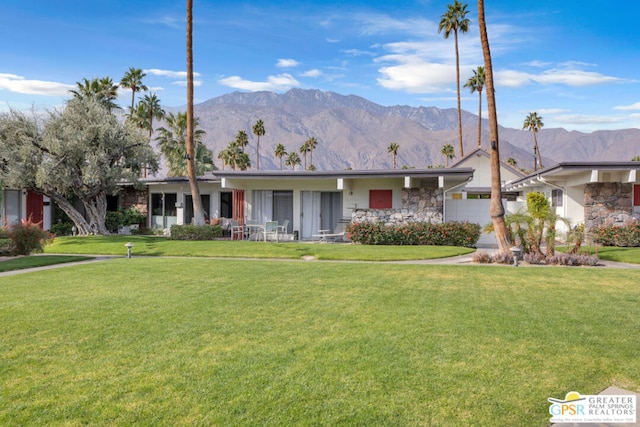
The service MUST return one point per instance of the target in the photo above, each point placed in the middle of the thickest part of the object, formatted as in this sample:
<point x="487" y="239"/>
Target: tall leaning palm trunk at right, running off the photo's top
<point x="496" y="209"/>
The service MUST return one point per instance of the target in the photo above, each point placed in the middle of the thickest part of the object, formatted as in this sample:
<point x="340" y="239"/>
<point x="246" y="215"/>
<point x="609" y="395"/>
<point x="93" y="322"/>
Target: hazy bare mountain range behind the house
<point x="354" y="133"/>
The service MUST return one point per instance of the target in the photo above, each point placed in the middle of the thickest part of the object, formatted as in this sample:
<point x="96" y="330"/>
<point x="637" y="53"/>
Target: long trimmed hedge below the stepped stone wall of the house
<point x="415" y="233"/>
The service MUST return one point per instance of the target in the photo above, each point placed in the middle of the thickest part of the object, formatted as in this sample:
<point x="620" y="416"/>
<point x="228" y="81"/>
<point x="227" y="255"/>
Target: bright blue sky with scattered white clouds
<point x="574" y="62"/>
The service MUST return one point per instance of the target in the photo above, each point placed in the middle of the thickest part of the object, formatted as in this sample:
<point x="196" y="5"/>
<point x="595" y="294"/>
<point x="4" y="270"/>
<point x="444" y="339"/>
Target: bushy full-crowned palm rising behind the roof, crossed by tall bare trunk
<point x="172" y="142"/>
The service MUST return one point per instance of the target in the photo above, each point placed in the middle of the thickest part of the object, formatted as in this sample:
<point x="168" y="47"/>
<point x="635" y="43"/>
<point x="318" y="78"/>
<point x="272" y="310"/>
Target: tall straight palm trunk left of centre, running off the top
<point x="198" y="210"/>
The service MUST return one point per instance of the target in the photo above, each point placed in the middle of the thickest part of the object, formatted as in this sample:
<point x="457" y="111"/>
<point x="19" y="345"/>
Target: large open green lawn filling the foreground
<point x="192" y="341"/>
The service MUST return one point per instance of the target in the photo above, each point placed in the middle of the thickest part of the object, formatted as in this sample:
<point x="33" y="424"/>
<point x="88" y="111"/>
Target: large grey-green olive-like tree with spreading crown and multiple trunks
<point x="82" y="153"/>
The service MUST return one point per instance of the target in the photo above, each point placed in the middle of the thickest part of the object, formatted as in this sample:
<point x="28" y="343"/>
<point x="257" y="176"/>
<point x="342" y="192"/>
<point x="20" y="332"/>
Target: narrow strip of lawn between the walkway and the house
<point x="160" y="246"/>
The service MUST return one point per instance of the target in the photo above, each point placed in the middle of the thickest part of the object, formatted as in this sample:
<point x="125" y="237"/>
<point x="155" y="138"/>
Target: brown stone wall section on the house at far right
<point x="608" y="203"/>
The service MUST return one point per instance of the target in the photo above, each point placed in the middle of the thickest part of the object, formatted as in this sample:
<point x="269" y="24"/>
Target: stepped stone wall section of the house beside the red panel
<point x="418" y="205"/>
